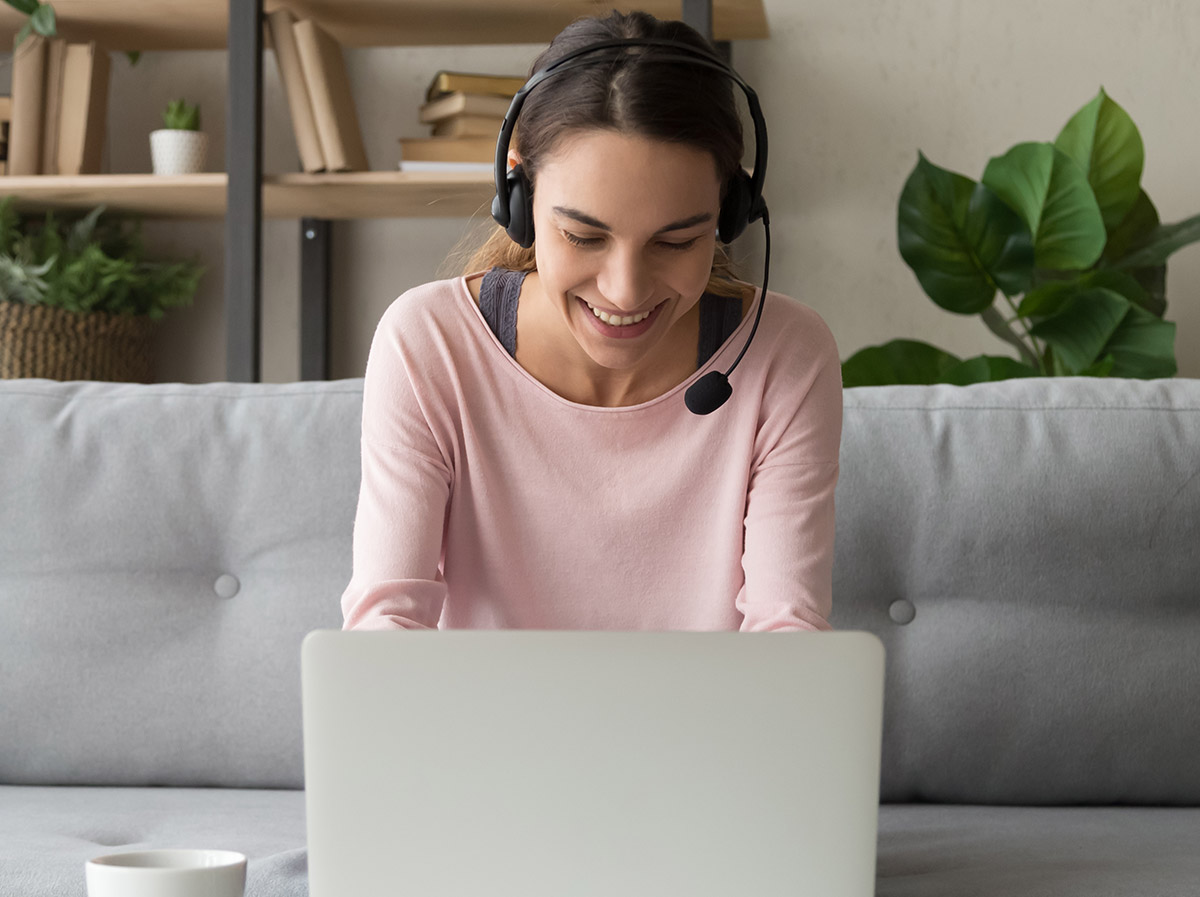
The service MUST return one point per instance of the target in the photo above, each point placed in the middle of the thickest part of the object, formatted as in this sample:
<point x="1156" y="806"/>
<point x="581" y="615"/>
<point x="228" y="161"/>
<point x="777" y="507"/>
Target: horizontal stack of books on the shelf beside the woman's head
<point x="466" y="113"/>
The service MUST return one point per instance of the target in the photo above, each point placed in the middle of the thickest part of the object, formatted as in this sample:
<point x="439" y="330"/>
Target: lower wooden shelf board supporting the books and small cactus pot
<point x="359" y="195"/>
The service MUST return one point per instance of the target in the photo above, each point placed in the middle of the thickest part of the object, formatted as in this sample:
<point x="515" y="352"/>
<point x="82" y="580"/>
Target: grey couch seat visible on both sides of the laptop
<point x="925" y="851"/>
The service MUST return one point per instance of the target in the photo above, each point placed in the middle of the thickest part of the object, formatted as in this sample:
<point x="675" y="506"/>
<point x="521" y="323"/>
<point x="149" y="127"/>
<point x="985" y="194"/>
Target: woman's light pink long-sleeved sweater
<point x="490" y="502"/>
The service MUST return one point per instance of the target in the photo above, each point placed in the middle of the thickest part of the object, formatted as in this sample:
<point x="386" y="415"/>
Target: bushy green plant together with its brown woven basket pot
<point x="80" y="299"/>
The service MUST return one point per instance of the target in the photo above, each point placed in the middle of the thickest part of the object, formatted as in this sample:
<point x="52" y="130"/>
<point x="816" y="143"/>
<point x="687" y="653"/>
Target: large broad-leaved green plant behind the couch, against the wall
<point x="1067" y="238"/>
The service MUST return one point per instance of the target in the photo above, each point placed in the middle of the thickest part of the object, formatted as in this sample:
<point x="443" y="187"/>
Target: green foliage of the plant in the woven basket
<point x="88" y="264"/>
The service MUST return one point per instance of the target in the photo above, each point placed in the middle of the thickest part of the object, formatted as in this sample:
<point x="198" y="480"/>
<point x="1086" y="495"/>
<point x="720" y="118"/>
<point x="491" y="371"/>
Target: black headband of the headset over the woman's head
<point x="693" y="57"/>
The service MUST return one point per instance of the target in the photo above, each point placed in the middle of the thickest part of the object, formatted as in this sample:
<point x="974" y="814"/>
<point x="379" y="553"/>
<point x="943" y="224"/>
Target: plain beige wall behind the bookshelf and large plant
<point x="850" y="91"/>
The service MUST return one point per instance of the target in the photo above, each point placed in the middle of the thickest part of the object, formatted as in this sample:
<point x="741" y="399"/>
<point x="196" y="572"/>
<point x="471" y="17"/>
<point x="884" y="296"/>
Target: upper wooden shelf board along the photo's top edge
<point x="202" y="25"/>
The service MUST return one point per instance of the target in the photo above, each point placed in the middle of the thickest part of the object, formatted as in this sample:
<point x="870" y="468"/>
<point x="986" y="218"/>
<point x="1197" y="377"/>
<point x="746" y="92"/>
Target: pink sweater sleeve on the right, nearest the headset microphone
<point x="788" y="556"/>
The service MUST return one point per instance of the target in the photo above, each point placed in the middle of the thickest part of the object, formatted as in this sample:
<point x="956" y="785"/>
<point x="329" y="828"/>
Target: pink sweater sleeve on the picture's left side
<point x="397" y="581"/>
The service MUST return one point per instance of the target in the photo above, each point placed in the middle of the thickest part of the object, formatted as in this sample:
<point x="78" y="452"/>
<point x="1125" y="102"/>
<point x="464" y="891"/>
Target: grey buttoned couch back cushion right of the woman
<point x="1029" y="551"/>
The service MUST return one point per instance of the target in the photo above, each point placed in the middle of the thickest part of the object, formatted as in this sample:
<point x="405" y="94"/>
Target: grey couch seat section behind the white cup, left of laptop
<point x="49" y="834"/>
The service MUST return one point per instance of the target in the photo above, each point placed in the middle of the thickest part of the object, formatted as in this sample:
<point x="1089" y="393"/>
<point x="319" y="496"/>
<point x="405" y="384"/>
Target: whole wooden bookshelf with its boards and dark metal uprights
<point x="316" y="200"/>
